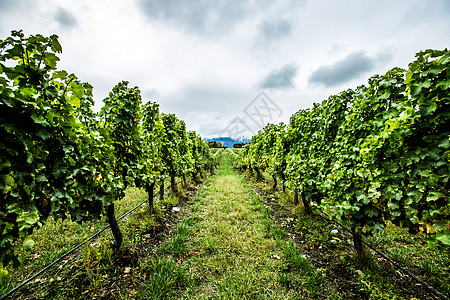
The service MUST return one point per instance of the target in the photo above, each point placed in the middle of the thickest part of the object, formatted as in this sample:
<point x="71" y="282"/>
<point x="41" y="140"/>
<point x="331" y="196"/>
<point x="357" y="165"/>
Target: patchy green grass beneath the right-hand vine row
<point x="377" y="281"/>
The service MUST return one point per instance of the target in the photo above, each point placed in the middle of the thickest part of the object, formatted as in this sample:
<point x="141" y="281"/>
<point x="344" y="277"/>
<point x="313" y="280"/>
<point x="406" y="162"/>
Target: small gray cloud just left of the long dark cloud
<point x="281" y="78"/>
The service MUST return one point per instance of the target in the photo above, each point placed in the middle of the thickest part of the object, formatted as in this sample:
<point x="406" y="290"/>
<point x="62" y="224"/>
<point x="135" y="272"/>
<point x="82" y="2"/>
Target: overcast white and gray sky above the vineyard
<point x="232" y="65"/>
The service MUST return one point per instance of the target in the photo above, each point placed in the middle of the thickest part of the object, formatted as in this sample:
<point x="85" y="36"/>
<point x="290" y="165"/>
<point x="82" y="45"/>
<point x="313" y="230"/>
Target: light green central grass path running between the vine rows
<point x="238" y="260"/>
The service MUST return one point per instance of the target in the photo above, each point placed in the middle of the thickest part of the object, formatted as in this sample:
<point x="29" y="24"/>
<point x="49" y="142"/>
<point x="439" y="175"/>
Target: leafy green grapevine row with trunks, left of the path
<point x="58" y="157"/>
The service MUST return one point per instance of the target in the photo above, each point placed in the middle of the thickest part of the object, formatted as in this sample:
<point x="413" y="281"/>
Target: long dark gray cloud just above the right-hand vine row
<point x="351" y="67"/>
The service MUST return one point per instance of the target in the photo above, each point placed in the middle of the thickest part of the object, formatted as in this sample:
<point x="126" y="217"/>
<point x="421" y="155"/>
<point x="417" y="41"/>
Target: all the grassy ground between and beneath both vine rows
<point x="227" y="245"/>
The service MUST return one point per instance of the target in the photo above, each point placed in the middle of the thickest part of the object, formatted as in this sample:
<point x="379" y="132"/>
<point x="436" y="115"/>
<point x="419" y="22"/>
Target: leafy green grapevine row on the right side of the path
<point x="377" y="154"/>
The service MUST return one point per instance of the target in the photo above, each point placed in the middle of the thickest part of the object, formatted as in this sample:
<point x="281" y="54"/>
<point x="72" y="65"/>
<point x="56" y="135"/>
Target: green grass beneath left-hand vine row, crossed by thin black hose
<point x="93" y="260"/>
